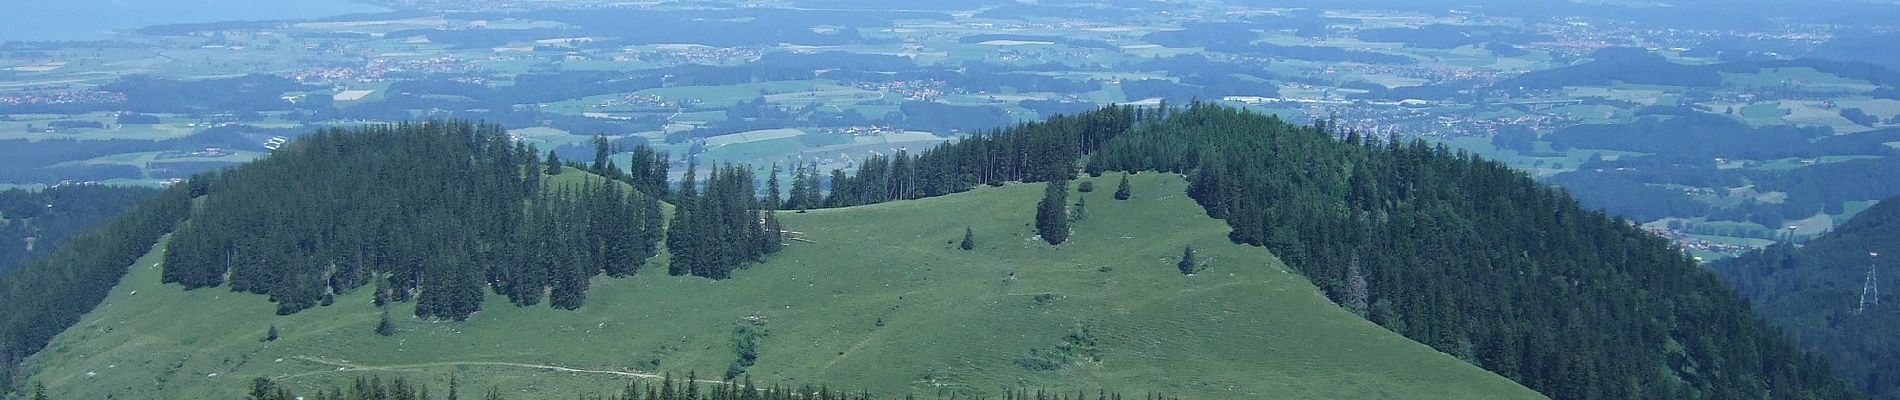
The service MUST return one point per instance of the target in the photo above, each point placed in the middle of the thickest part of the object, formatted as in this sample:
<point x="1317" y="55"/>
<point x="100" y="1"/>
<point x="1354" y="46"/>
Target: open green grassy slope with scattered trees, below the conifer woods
<point x="871" y="299"/>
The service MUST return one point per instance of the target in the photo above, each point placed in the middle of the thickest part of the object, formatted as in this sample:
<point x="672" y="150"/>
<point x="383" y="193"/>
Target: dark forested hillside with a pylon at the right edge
<point x="1815" y="293"/>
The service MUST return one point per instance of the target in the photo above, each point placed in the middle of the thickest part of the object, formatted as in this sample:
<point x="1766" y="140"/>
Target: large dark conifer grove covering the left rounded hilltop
<point x="436" y="213"/>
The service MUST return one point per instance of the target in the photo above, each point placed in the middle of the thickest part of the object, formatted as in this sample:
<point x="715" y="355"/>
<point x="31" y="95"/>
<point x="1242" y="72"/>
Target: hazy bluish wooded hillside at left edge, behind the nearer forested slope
<point x="37" y="223"/>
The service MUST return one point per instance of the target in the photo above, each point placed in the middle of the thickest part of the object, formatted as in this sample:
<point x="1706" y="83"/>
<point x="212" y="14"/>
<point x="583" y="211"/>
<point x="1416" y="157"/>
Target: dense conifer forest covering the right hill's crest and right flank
<point x="1460" y="253"/>
